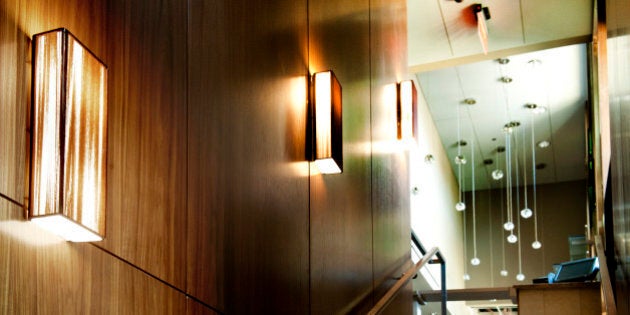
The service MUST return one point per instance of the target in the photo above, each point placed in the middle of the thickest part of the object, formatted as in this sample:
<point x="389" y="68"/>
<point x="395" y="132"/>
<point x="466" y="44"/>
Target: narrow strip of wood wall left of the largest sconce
<point x="13" y="72"/>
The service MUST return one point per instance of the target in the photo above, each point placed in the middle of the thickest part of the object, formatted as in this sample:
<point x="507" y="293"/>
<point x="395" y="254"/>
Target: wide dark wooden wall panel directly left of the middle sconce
<point x="248" y="178"/>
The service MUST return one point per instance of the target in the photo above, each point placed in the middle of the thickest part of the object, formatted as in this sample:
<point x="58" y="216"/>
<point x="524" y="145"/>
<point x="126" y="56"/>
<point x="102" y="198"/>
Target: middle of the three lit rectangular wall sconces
<point x="327" y="132"/>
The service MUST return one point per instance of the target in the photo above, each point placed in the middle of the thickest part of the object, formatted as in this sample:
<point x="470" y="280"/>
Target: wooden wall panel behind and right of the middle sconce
<point x="341" y="211"/>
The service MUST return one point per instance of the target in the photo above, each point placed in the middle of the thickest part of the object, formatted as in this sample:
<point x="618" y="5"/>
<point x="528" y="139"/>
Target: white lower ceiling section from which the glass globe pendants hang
<point x="556" y="80"/>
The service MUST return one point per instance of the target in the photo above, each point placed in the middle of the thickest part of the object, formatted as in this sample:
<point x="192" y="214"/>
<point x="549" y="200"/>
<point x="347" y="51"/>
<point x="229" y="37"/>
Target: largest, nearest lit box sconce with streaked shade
<point x="68" y="138"/>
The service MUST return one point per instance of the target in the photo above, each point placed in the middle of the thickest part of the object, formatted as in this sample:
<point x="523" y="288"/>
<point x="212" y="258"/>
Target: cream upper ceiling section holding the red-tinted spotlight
<point x="444" y="32"/>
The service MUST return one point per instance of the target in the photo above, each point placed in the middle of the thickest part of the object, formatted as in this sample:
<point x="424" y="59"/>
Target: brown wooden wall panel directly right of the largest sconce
<point x="146" y="183"/>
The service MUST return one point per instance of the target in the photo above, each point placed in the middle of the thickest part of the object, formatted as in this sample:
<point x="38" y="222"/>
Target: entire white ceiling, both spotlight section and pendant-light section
<point x="443" y="39"/>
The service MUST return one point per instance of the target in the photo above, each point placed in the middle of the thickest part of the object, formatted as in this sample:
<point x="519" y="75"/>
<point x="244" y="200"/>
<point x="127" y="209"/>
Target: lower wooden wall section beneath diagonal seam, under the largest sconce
<point x="42" y="274"/>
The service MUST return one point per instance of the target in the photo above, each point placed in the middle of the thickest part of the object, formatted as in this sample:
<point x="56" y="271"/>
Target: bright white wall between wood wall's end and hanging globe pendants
<point x="433" y="216"/>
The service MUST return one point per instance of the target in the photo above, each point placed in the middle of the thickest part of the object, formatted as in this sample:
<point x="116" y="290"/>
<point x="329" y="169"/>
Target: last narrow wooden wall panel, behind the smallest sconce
<point x="390" y="173"/>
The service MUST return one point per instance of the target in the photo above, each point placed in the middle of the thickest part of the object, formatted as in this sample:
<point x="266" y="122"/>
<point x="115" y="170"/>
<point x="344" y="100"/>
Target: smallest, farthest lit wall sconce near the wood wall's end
<point x="406" y="109"/>
